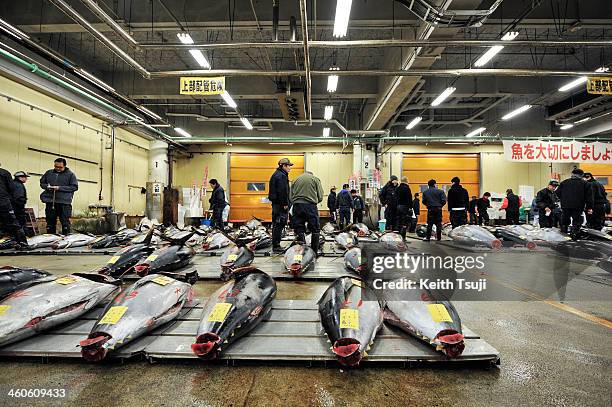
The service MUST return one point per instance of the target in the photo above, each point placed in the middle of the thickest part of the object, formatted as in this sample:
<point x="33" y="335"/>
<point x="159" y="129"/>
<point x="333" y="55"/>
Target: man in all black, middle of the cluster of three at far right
<point x="575" y="195"/>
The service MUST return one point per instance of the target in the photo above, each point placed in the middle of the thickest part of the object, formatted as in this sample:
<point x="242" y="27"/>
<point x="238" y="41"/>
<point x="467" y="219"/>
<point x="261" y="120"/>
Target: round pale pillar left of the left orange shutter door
<point x="157" y="179"/>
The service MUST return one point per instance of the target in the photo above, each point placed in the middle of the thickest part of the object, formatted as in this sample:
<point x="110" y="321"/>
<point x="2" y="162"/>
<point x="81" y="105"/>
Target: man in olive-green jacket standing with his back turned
<point x="306" y="194"/>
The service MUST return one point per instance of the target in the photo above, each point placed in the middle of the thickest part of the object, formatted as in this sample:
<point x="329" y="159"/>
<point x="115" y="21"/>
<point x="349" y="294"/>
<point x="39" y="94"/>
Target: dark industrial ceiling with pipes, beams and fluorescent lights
<point x="395" y="60"/>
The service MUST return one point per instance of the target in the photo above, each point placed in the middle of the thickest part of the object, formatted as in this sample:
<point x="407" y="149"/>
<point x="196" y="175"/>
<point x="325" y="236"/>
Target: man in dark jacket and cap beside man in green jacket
<point x="278" y="194"/>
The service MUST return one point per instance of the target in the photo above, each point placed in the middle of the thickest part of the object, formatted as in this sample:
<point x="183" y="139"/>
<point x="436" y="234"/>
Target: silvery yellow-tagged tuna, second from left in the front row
<point x="150" y="302"/>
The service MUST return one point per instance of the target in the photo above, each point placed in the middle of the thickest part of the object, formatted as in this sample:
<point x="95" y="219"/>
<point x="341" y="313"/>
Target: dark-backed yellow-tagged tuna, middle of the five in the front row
<point x="233" y="311"/>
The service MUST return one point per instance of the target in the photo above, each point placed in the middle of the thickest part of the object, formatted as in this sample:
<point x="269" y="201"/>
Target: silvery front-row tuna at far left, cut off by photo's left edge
<point x="52" y="301"/>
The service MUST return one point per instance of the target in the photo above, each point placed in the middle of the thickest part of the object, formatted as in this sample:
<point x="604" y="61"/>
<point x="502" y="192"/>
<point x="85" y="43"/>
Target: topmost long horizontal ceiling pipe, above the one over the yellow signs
<point x="390" y="43"/>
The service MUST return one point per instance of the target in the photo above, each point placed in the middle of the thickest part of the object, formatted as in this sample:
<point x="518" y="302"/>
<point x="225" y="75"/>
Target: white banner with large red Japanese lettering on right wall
<point x="558" y="151"/>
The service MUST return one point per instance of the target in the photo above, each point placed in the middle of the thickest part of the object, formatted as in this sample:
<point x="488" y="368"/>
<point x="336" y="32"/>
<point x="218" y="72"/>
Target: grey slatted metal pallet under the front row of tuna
<point x="291" y="333"/>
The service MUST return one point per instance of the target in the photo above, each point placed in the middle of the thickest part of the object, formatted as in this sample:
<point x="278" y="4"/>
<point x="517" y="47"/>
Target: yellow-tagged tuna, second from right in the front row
<point x="350" y="319"/>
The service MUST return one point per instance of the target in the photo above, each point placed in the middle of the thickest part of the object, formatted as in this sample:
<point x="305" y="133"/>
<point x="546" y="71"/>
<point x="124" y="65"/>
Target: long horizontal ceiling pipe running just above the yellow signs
<point x="443" y="73"/>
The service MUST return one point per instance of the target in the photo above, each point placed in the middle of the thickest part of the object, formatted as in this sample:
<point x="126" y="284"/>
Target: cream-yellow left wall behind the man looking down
<point x="35" y="129"/>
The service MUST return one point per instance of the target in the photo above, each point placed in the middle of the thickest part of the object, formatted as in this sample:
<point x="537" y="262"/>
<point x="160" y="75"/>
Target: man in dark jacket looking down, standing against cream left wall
<point x="59" y="185"/>
